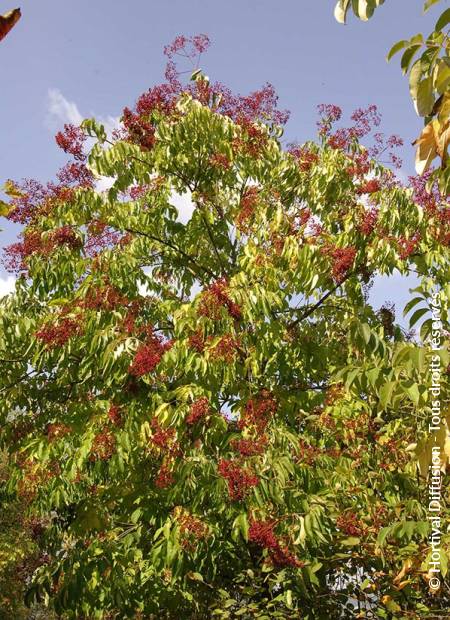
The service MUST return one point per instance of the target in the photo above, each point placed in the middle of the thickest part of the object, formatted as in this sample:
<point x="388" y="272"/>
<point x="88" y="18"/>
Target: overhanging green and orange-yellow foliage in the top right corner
<point x="429" y="85"/>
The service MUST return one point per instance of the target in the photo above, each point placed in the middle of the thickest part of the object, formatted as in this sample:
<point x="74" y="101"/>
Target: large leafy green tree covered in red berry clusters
<point x="209" y="417"/>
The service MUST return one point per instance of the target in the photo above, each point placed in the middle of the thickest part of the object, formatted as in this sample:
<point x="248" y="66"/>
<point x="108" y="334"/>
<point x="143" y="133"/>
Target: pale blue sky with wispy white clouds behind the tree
<point x="93" y="57"/>
